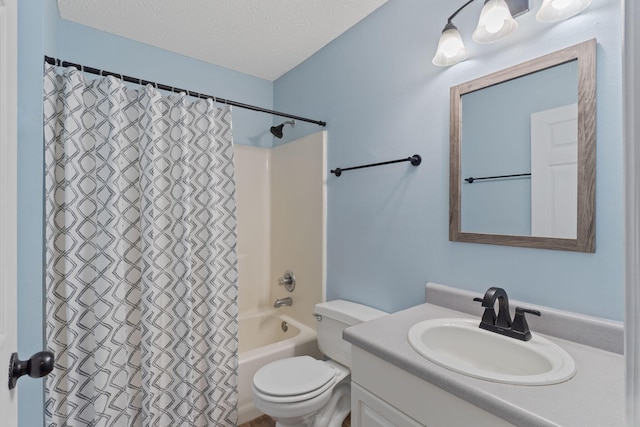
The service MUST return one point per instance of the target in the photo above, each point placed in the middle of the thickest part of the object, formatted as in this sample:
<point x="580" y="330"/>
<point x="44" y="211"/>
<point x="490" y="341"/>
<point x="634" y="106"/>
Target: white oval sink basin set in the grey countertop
<point x="461" y="346"/>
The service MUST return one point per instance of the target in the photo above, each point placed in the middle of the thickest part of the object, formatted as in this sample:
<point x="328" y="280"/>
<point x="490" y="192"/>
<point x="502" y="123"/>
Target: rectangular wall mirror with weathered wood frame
<point x="522" y="159"/>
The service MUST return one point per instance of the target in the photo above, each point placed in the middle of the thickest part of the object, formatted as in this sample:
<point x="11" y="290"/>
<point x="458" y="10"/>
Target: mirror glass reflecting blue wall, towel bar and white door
<point x="496" y="141"/>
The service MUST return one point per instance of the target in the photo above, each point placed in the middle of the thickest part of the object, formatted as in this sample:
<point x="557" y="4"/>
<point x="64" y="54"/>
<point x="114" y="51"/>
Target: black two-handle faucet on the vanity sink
<point x="501" y="323"/>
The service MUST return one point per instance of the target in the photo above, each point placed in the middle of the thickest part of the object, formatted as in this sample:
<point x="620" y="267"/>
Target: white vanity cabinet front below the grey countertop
<point x="383" y="395"/>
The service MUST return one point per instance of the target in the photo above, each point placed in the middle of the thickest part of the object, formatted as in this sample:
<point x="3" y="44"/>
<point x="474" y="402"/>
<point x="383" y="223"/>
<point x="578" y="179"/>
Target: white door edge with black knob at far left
<point x="8" y="204"/>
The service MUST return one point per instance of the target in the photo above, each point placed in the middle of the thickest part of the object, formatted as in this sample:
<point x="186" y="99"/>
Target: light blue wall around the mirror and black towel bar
<point x="383" y="99"/>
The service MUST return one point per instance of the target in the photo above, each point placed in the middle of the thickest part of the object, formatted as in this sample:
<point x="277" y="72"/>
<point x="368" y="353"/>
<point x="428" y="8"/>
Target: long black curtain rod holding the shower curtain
<point x="91" y="70"/>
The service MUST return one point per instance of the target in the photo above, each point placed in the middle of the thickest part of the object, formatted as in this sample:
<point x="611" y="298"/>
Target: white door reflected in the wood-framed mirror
<point x="554" y="172"/>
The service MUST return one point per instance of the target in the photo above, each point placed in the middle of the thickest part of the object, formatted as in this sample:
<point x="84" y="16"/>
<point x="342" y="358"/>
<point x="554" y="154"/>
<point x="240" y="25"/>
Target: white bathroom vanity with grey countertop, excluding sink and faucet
<point x="394" y="385"/>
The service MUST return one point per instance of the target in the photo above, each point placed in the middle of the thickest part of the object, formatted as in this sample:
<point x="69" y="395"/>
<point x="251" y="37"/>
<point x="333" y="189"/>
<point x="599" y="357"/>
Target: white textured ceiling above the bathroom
<point x="263" y="38"/>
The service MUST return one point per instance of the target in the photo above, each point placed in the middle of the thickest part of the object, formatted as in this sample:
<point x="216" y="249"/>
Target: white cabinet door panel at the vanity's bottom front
<point x="367" y="410"/>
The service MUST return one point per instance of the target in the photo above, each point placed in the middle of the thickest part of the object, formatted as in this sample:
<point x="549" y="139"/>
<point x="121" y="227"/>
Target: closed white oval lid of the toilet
<point x="292" y="376"/>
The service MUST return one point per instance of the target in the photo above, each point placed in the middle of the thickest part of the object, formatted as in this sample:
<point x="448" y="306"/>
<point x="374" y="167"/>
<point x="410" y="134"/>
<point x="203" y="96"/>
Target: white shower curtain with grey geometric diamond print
<point x="141" y="262"/>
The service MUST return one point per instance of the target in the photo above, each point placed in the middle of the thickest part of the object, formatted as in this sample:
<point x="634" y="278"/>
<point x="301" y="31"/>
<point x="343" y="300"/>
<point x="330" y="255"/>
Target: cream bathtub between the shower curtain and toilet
<point x="262" y="340"/>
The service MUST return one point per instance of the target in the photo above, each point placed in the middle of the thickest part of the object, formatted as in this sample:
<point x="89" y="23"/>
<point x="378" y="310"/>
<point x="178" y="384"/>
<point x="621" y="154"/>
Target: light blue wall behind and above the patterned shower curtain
<point x="42" y="32"/>
